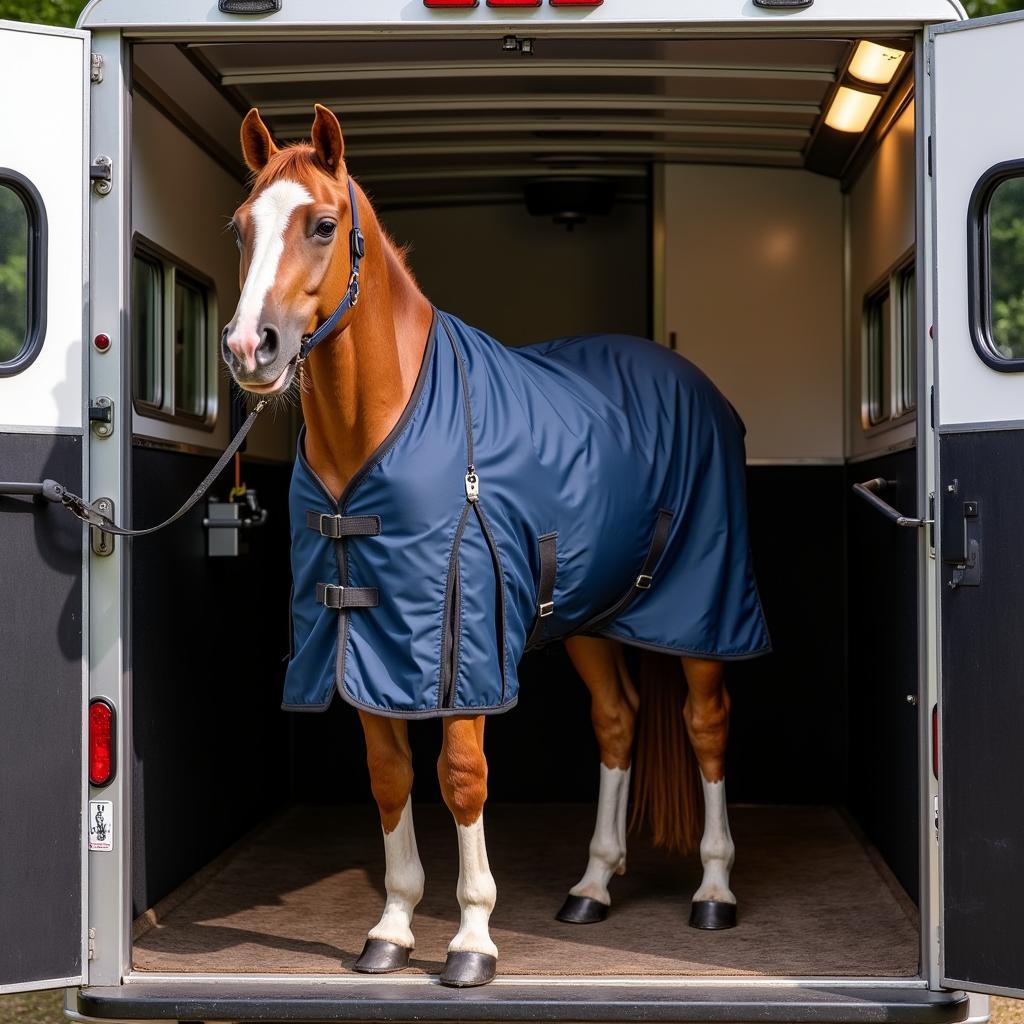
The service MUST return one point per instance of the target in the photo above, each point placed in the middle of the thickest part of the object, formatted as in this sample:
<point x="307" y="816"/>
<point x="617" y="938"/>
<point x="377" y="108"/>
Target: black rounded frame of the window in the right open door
<point x="979" y="252"/>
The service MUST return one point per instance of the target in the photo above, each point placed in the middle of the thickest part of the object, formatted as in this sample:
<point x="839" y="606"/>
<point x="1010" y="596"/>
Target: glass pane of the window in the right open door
<point x="1006" y="269"/>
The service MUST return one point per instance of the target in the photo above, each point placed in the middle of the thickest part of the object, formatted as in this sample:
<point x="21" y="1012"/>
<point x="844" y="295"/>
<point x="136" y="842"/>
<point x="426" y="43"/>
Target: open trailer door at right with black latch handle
<point x="977" y="163"/>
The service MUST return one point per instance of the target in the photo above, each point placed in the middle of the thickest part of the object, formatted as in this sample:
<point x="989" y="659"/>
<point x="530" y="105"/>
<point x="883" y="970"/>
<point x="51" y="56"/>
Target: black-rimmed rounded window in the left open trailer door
<point x="23" y="273"/>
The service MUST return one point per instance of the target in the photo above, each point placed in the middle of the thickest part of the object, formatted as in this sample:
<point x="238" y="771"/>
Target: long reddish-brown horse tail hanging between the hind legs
<point x="666" y="777"/>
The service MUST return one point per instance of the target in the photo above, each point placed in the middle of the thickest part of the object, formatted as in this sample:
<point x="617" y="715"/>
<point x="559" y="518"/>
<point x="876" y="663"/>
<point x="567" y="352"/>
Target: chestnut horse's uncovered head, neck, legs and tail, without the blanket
<point x="296" y="265"/>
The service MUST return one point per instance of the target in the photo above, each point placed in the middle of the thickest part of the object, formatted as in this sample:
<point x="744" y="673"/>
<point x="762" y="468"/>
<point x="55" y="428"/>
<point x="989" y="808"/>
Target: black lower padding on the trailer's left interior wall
<point x="209" y="639"/>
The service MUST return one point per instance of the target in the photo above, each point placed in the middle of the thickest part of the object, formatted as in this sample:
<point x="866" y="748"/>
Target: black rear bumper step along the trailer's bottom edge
<point x="518" y="1001"/>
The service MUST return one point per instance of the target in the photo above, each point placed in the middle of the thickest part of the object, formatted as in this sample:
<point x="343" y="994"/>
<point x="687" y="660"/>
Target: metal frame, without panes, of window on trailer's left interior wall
<point x="167" y="410"/>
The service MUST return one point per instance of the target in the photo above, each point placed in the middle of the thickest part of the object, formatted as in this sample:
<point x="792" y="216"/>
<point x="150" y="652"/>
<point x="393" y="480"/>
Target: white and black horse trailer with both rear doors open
<point x="820" y="202"/>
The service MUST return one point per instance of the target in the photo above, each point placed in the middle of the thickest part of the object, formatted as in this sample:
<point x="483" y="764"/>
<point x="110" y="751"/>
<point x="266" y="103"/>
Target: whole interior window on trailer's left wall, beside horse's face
<point x="174" y="313"/>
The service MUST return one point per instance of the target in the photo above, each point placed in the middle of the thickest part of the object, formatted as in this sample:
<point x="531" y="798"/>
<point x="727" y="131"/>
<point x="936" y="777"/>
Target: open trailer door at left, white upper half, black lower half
<point x="44" y="82"/>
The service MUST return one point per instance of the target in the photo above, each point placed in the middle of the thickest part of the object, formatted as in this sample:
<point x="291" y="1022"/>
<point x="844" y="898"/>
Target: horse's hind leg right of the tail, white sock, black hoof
<point x="707" y="715"/>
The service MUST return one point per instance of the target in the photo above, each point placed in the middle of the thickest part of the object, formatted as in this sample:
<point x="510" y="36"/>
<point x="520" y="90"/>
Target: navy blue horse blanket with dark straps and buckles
<point x="592" y="485"/>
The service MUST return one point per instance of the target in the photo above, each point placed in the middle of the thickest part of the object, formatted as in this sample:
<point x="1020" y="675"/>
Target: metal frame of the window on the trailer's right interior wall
<point x="901" y="407"/>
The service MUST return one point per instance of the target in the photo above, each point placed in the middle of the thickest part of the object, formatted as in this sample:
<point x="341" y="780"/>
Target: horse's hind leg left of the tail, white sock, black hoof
<point x="614" y="707"/>
